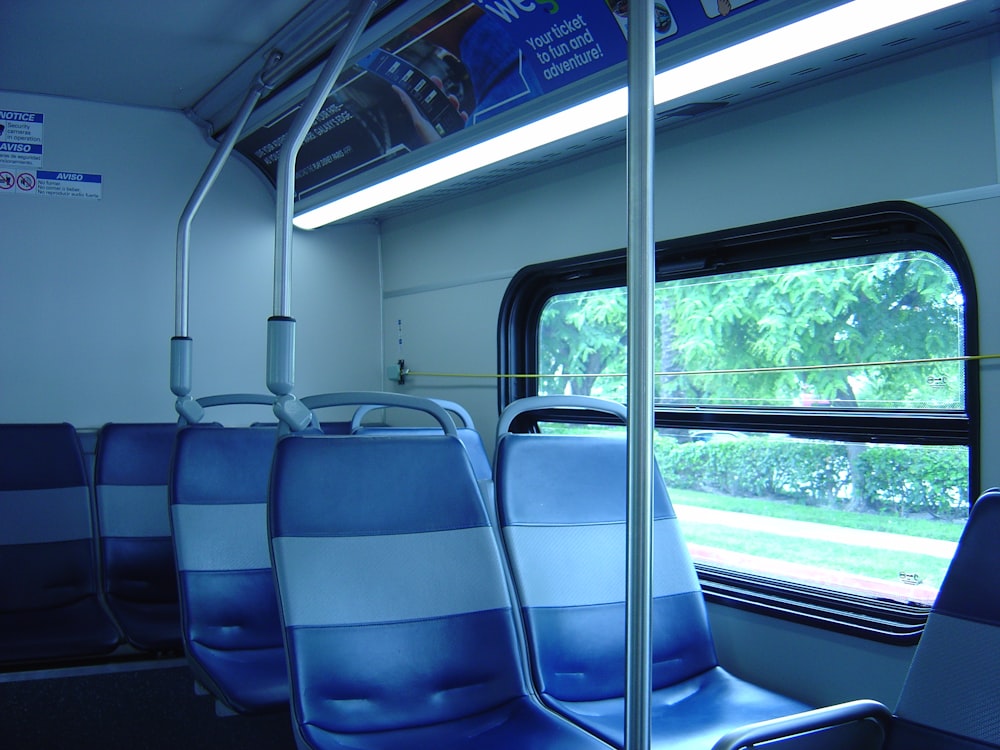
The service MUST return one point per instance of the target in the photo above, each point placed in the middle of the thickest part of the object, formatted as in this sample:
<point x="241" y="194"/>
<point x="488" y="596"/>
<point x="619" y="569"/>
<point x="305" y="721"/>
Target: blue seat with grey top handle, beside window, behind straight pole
<point x="561" y="505"/>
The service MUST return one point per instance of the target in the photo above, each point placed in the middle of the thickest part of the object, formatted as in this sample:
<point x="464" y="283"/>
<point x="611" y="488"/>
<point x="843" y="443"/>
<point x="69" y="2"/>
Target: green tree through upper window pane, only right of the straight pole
<point x="902" y="306"/>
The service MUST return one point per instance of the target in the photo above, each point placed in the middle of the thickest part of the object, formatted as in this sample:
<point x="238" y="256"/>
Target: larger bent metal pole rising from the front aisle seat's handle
<point x="281" y="325"/>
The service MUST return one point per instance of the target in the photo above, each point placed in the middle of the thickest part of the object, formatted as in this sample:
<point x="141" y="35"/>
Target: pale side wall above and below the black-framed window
<point x="914" y="127"/>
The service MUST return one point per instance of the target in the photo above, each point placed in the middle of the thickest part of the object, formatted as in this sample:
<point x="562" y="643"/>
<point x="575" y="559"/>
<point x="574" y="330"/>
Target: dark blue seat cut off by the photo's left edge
<point x="50" y="606"/>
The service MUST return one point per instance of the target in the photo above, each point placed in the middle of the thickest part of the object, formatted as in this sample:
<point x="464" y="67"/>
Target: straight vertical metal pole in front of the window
<point x="641" y="275"/>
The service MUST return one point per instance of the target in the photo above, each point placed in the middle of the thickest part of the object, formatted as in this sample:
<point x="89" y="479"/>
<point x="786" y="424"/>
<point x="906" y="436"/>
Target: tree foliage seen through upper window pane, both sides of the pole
<point x="891" y="307"/>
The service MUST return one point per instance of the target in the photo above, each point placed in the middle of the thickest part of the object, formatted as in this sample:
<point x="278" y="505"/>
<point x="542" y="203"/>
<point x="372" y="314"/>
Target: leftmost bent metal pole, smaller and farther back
<point x="180" y="344"/>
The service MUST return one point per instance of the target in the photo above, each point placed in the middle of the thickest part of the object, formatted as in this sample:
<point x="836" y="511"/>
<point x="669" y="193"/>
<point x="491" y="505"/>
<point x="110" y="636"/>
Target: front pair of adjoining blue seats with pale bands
<point x="412" y="618"/>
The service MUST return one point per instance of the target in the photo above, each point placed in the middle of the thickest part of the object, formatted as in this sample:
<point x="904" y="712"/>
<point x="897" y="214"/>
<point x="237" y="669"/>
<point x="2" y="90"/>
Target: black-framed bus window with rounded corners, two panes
<point x="811" y="400"/>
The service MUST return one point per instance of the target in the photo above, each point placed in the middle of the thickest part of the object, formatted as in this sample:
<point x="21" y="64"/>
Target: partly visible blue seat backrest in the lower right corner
<point x="951" y="693"/>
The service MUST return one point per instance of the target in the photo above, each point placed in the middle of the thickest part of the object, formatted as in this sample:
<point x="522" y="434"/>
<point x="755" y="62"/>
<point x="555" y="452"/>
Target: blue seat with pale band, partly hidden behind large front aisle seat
<point x="230" y="625"/>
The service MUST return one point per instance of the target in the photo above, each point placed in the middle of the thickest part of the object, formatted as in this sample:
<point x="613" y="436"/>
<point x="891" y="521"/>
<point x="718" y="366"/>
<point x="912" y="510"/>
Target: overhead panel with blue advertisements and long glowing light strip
<point x="551" y="59"/>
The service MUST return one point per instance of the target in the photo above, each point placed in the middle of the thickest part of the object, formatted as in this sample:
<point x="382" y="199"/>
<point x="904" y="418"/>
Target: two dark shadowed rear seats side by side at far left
<point x="87" y="566"/>
